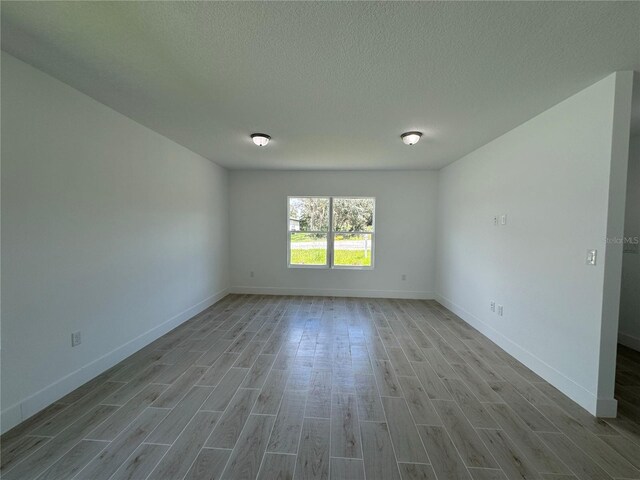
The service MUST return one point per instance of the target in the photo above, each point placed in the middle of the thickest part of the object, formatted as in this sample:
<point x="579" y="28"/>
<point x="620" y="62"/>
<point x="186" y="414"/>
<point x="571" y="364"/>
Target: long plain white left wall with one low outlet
<point x="107" y="228"/>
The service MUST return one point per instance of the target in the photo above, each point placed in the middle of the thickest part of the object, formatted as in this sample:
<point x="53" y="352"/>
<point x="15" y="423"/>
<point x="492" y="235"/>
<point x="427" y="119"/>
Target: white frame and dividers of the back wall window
<point x="330" y="233"/>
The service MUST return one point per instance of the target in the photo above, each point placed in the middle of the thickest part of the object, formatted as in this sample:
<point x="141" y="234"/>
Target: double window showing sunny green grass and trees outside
<point x="330" y="232"/>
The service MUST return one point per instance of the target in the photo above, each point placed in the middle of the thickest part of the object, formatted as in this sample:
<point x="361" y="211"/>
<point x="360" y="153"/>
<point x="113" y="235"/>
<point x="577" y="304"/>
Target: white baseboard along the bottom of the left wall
<point x="21" y="411"/>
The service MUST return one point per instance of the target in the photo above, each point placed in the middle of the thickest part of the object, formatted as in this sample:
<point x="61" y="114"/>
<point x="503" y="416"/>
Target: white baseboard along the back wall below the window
<point x="333" y="292"/>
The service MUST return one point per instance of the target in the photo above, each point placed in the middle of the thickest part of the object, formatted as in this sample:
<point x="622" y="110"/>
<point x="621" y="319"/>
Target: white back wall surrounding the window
<point x="405" y="236"/>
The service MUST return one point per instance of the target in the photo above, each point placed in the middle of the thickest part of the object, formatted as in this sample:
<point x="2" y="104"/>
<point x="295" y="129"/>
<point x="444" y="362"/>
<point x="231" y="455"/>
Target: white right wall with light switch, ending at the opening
<point x="557" y="178"/>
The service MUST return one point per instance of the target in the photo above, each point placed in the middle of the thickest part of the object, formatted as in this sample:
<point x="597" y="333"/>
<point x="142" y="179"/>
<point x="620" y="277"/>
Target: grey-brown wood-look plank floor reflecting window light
<point x="305" y="388"/>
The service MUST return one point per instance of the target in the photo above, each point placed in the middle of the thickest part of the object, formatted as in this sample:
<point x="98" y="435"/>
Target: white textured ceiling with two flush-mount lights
<point x="334" y="83"/>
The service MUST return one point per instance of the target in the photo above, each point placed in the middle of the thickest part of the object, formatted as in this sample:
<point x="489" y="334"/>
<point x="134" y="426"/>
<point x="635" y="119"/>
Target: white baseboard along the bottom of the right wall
<point x="589" y="401"/>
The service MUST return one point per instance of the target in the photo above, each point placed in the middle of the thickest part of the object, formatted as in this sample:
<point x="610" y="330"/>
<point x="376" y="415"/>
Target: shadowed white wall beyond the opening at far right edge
<point x="630" y="295"/>
